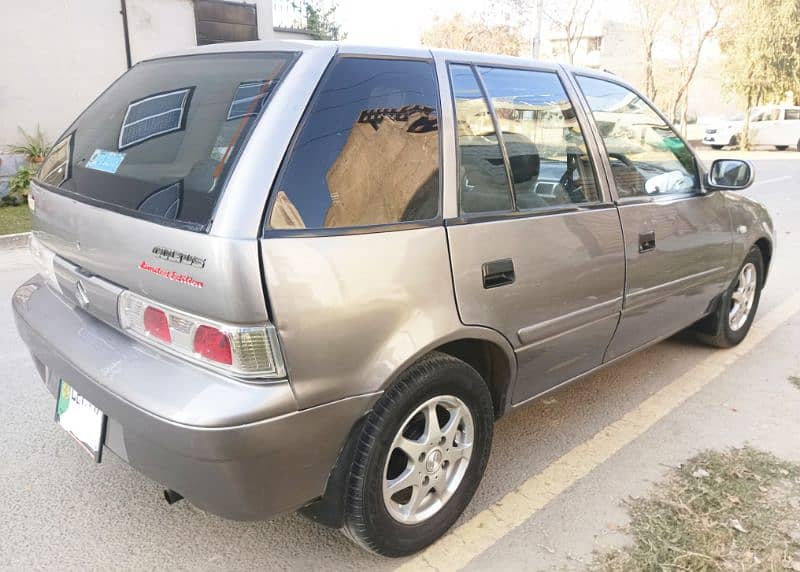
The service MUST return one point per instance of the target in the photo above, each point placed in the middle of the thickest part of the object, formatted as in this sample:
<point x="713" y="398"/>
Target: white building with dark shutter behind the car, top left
<point x="57" y="56"/>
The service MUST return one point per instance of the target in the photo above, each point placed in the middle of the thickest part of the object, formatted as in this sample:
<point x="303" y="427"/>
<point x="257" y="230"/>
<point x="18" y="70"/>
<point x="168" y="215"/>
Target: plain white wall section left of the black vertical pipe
<point x="55" y="57"/>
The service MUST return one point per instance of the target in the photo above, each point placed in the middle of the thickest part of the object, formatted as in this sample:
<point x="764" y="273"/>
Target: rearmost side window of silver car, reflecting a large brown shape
<point x="367" y="152"/>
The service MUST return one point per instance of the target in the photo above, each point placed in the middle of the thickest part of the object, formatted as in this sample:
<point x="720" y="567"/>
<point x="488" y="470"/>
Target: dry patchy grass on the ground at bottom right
<point x="732" y="510"/>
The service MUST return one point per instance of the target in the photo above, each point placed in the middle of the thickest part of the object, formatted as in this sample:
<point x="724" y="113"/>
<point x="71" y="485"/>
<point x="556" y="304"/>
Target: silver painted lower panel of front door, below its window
<point x="671" y="286"/>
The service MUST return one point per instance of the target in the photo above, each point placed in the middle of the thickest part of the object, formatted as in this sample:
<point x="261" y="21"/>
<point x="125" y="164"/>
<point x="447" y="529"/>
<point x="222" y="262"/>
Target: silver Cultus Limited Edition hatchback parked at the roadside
<point x="310" y="276"/>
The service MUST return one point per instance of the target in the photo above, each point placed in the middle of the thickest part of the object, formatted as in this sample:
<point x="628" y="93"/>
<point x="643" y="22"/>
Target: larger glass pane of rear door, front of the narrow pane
<point x="550" y="165"/>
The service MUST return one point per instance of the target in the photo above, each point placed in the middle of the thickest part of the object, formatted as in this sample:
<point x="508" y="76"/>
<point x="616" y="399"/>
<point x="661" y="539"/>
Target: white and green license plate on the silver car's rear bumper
<point x="78" y="417"/>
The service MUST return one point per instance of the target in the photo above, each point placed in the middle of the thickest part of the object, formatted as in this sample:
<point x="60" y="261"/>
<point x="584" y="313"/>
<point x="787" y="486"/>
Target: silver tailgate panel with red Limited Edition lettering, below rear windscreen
<point x="113" y="246"/>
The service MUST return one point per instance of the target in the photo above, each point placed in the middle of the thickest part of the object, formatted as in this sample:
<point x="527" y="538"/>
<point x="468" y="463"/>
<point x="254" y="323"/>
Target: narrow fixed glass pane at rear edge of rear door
<point x="483" y="182"/>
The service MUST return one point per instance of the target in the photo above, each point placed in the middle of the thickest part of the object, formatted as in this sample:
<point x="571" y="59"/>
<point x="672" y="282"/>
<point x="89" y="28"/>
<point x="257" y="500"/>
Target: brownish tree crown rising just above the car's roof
<point x="473" y="34"/>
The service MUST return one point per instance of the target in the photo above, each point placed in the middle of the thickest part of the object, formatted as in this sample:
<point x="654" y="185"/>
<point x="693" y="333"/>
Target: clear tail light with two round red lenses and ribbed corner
<point x="250" y="352"/>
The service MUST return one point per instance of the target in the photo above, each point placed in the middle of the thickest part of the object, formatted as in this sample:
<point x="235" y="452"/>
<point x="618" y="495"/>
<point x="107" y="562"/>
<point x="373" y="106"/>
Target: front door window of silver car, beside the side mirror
<point x="646" y="155"/>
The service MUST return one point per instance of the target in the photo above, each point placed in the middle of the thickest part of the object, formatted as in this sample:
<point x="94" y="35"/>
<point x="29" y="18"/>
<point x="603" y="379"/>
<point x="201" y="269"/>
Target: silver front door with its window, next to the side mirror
<point x="678" y="241"/>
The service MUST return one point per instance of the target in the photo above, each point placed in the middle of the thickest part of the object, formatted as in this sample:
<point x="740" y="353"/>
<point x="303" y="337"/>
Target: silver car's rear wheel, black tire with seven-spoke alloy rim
<point x="419" y="458"/>
